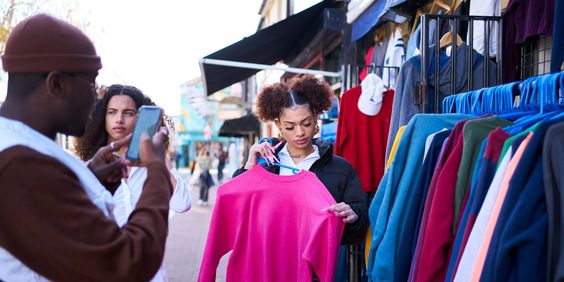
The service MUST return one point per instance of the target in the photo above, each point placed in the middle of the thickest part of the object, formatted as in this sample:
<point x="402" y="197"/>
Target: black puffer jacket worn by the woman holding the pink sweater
<point x="342" y="182"/>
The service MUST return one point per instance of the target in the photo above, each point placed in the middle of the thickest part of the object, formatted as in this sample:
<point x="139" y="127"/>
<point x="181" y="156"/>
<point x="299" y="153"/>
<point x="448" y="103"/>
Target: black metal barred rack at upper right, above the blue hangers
<point x="425" y="98"/>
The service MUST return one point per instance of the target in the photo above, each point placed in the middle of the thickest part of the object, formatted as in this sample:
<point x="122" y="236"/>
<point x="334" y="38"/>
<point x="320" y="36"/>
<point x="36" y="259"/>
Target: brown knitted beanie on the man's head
<point x="42" y="43"/>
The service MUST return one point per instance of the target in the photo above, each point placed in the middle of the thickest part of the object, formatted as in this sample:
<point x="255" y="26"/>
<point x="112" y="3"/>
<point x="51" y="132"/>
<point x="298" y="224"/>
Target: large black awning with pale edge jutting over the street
<point x="267" y="46"/>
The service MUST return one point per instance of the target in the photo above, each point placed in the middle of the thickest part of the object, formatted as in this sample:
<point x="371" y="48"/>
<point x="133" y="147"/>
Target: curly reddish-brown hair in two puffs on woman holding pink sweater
<point x="304" y="90"/>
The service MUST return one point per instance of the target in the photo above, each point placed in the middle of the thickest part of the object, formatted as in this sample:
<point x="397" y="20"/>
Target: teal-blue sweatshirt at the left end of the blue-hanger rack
<point x="388" y="207"/>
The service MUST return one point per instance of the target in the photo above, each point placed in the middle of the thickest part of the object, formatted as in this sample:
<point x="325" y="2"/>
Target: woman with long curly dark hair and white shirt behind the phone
<point x="115" y="117"/>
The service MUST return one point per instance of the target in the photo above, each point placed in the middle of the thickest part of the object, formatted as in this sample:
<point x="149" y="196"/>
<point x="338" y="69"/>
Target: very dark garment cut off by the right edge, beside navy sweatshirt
<point x="553" y="179"/>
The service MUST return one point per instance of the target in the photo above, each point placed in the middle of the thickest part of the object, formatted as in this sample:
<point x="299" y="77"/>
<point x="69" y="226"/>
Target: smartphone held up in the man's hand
<point x="149" y="120"/>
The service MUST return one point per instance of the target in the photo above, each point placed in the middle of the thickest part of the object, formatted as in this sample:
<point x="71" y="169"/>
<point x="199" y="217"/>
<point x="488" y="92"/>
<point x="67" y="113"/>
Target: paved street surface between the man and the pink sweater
<point x="187" y="238"/>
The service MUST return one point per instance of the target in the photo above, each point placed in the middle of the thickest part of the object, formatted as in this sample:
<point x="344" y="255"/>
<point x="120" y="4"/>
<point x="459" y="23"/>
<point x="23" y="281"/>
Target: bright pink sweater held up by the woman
<point x="275" y="227"/>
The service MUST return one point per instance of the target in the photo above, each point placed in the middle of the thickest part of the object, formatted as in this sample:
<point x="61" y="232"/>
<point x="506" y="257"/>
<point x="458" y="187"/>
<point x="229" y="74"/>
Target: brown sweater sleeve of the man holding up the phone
<point x="56" y="230"/>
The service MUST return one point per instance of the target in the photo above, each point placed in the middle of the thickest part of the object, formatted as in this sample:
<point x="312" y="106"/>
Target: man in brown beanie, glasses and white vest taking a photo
<point x="55" y="221"/>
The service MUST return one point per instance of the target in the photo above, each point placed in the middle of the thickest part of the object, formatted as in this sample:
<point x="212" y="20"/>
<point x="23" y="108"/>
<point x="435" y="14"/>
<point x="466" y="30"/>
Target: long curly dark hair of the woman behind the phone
<point x="96" y="135"/>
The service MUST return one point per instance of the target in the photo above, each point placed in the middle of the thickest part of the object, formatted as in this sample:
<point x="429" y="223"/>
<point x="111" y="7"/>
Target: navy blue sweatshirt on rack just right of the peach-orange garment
<point x="518" y="245"/>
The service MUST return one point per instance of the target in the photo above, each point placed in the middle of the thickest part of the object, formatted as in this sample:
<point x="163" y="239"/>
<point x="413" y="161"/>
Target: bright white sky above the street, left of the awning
<point x="156" y="45"/>
